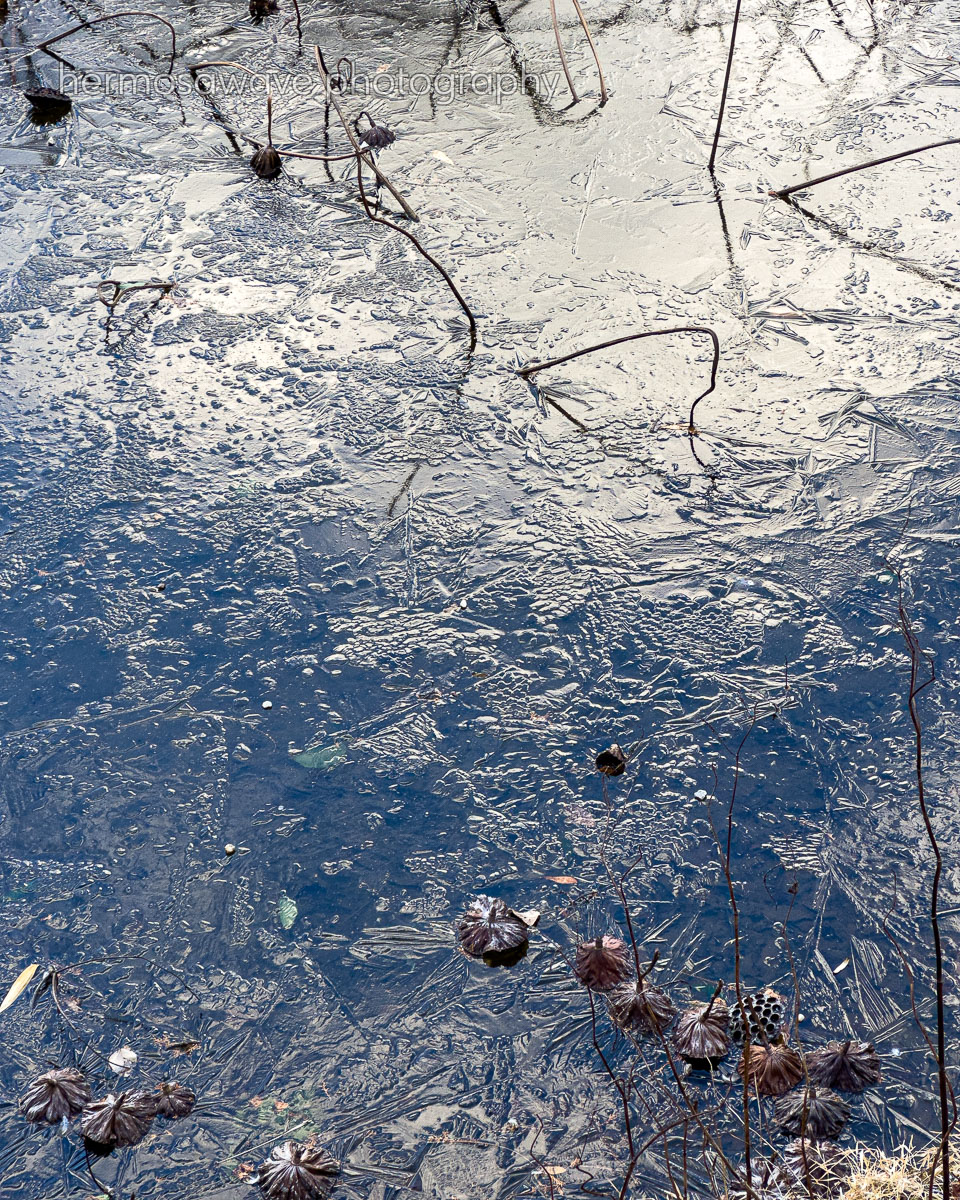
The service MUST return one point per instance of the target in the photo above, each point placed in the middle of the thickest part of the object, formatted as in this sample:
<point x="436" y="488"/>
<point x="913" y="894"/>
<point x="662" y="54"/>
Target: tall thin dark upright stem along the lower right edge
<point x="917" y="686"/>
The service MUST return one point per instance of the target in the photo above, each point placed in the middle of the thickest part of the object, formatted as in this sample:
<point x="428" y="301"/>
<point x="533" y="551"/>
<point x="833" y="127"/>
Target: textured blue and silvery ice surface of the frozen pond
<point x="292" y="483"/>
